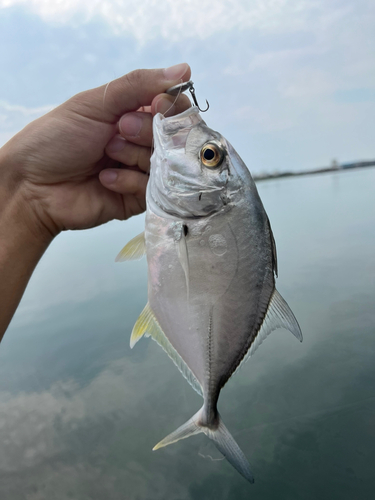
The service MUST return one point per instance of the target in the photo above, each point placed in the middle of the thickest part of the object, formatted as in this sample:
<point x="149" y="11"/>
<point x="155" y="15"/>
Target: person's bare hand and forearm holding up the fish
<point x="62" y="171"/>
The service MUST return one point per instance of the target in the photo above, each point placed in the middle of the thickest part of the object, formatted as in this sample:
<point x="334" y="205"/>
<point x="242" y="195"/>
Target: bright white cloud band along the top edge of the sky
<point x="175" y="21"/>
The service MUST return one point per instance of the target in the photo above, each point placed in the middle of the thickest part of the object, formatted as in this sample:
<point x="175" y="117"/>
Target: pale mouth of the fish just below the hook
<point x="172" y="132"/>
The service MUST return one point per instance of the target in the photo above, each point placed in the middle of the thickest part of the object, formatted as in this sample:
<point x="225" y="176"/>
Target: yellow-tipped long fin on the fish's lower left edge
<point x="148" y="325"/>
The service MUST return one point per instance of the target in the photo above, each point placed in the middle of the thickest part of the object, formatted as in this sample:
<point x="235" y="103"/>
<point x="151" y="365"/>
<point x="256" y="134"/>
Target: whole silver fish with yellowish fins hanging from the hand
<point x="212" y="265"/>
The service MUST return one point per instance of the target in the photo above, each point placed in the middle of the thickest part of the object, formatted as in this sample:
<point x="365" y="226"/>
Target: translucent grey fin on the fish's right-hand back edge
<point x="279" y="315"/>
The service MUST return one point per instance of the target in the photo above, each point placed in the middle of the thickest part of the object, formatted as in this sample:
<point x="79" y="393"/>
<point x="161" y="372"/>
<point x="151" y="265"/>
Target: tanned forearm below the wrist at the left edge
<point x="22" y="243"/>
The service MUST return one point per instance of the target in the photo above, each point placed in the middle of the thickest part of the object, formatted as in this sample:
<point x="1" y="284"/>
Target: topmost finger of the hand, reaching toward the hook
<point x="131" y="91"/>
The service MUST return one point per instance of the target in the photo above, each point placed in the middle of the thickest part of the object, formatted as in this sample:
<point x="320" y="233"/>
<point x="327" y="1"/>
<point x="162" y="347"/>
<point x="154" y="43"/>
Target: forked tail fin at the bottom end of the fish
<point x="220" y="435"/>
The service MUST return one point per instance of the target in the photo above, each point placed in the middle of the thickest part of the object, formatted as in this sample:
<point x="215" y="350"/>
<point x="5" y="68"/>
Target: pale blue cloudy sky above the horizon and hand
<point x="291" y="83"/>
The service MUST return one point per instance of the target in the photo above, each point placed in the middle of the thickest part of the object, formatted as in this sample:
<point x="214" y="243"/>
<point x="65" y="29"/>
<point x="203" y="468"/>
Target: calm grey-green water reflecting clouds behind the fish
<point x="80" y="412"/>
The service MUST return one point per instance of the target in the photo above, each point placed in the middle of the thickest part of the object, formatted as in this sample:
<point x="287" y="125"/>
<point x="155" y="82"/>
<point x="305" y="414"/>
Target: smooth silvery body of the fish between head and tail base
<point x="210" y="309"/>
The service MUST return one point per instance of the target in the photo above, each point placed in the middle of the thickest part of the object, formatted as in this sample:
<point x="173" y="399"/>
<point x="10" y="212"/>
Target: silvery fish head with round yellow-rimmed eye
<point x="194" y="170"/>
